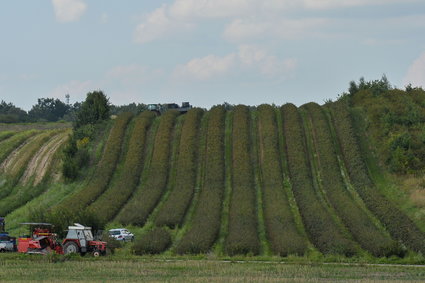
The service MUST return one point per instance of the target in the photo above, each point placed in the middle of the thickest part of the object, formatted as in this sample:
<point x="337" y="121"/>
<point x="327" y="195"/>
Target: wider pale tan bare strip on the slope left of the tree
<point x="39" y="163"/>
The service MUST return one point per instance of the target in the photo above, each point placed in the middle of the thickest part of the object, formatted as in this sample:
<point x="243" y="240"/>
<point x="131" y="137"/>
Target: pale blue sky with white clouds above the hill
<point x="206" y="52"/>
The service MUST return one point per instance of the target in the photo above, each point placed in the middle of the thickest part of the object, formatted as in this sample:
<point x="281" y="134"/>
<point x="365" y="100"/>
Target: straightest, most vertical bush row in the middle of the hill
<point x="242" y="237"/>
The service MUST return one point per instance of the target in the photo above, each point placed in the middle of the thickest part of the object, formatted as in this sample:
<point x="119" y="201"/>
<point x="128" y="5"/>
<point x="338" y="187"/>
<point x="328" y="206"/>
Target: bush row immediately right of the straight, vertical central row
<point x="280" y="223"/>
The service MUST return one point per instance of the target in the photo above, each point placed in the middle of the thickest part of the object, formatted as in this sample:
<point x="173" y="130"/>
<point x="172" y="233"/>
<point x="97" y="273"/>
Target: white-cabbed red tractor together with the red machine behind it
<point x="42" y="240"/>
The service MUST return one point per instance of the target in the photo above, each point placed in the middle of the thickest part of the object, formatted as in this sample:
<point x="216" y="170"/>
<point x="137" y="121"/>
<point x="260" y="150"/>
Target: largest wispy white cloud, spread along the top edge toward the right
<point x="249" y="18"/>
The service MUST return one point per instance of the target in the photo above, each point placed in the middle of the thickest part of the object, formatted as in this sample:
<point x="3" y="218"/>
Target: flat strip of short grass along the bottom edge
<point x="19" y="268"/>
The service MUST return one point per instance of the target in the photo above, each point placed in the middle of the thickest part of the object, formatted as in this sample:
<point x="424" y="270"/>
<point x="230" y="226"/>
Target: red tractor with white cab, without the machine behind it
<point x="79" y="239"/>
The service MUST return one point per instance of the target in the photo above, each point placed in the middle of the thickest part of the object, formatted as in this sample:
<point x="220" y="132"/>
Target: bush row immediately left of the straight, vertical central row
<point x="206" y="219"/>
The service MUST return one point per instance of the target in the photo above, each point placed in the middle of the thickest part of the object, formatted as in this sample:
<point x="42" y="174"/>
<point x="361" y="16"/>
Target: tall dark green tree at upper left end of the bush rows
<point x="95" y="108"/>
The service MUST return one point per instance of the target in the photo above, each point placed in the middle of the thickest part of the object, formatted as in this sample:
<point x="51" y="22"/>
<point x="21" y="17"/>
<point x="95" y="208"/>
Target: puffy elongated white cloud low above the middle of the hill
<point x="247" y="58"/>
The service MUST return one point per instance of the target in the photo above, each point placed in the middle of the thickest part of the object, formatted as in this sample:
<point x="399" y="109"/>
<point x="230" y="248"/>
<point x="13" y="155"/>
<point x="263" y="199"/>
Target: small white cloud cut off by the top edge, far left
<point x="68" y="10"/>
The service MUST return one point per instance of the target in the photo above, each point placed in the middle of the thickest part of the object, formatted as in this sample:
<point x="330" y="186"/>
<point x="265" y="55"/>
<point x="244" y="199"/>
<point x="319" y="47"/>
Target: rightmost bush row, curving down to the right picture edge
<point x="397" y="223"/>
